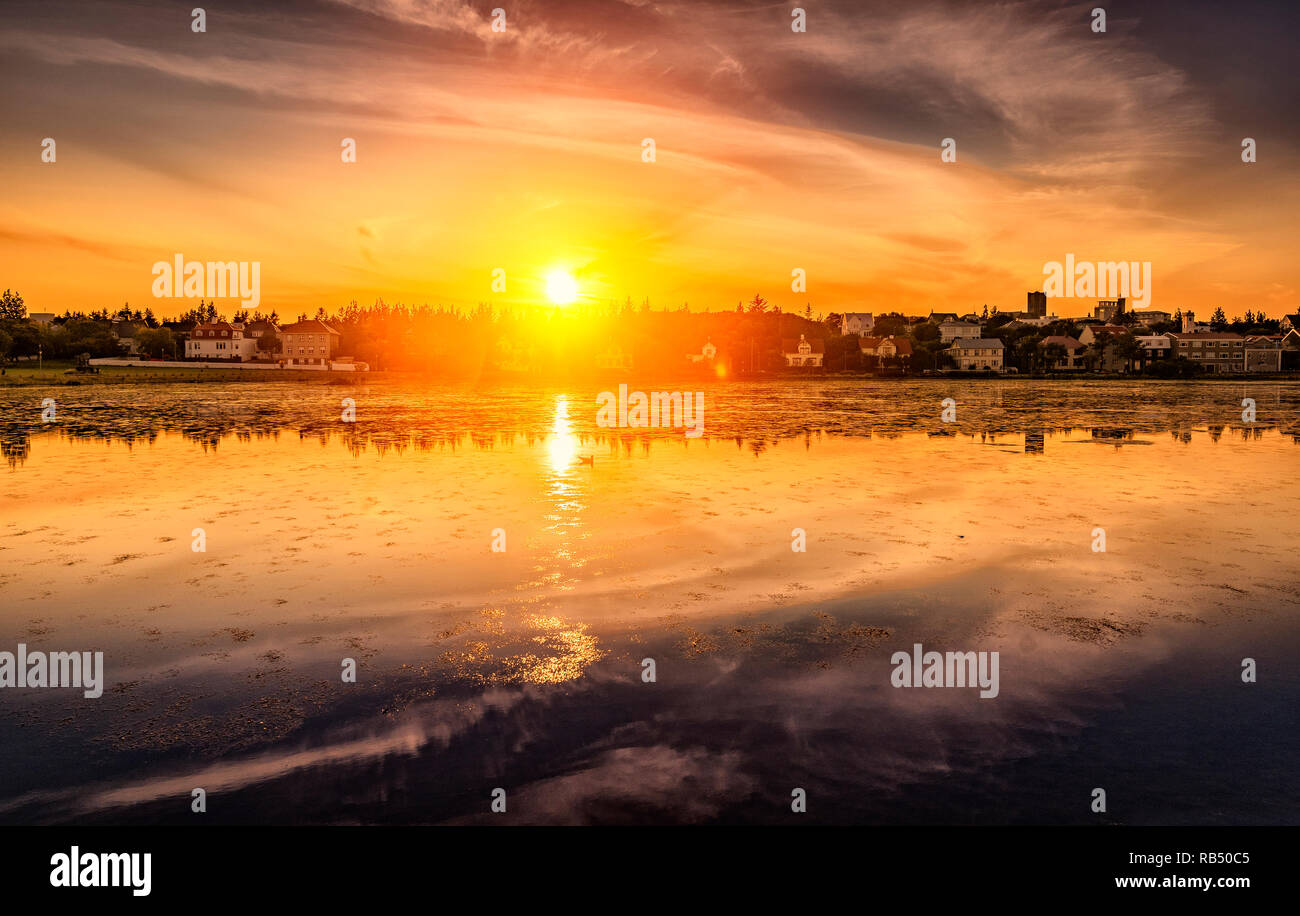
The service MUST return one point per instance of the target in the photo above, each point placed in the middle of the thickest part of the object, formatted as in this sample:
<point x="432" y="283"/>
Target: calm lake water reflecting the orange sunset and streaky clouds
<point x="523" y="670"/>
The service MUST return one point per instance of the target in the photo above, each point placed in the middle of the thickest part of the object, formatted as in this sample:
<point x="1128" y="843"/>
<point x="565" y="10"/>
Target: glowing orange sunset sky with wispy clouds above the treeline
<point x="480" y="150"/>
